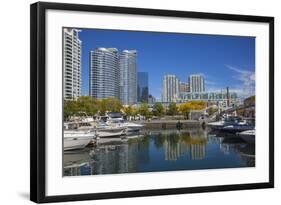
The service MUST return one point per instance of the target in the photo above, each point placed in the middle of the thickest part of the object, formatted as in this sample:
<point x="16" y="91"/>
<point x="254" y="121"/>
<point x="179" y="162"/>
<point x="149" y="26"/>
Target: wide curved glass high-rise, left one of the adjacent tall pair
<point x="104" y="73"/>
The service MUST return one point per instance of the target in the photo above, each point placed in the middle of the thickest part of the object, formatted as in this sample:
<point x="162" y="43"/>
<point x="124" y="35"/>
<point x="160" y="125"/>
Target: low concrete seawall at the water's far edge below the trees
<point x="172" y="124"/>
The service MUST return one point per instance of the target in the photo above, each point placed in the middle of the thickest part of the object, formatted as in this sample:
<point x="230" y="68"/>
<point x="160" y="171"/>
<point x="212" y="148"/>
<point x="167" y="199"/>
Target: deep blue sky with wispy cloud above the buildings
<point x="223" y="60"/>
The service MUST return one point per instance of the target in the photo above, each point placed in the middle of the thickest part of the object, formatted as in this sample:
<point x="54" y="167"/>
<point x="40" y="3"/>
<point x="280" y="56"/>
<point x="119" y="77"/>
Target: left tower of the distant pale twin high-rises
<point x="170" y="88"/>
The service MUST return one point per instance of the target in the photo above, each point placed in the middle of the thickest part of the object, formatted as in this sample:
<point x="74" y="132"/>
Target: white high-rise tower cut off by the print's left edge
<point x="71" y="64"/>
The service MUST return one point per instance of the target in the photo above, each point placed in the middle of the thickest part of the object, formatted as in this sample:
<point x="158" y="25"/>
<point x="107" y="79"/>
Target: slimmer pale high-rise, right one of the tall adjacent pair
<point x="128" y="77"/>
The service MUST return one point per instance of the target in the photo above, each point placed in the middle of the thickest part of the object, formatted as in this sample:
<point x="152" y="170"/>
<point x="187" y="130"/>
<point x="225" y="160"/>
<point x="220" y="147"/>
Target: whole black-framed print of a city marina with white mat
<point x="129" y="102"/>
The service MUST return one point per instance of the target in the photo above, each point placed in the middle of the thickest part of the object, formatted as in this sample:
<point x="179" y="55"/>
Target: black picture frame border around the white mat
<point x="38" y="101"/>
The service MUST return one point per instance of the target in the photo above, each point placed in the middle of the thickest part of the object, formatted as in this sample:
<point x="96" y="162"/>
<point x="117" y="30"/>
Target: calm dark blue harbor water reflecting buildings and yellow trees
<point x="166" y="150"/>
